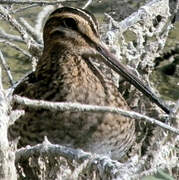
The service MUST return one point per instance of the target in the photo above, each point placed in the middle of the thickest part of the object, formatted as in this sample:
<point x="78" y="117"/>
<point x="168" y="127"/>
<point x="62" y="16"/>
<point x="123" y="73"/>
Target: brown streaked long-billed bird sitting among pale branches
<point x="64" y="73"/>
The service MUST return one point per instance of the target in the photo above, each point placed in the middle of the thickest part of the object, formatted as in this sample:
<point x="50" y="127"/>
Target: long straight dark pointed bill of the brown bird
<point x="113" y="63"/>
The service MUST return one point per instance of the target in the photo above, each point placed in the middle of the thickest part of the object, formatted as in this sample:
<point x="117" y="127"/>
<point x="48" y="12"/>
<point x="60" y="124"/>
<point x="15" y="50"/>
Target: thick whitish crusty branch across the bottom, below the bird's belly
<point x="94" y="166"/>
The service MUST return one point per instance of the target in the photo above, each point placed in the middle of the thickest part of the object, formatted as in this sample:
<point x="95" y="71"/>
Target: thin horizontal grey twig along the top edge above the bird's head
<point x="40" y="3"/>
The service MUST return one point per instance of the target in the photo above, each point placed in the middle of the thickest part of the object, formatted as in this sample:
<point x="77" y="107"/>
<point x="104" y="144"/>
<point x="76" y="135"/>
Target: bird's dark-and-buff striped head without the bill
<point x="72" y="28"/>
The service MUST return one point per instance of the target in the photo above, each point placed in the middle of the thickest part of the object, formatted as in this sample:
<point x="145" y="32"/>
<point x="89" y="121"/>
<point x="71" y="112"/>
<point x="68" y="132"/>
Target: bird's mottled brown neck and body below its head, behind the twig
<point x="73" y="81"/>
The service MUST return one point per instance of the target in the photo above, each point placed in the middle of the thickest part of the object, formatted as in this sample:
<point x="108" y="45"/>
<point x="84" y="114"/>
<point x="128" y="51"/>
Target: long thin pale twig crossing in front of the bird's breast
<point x="76" y="107"/>
